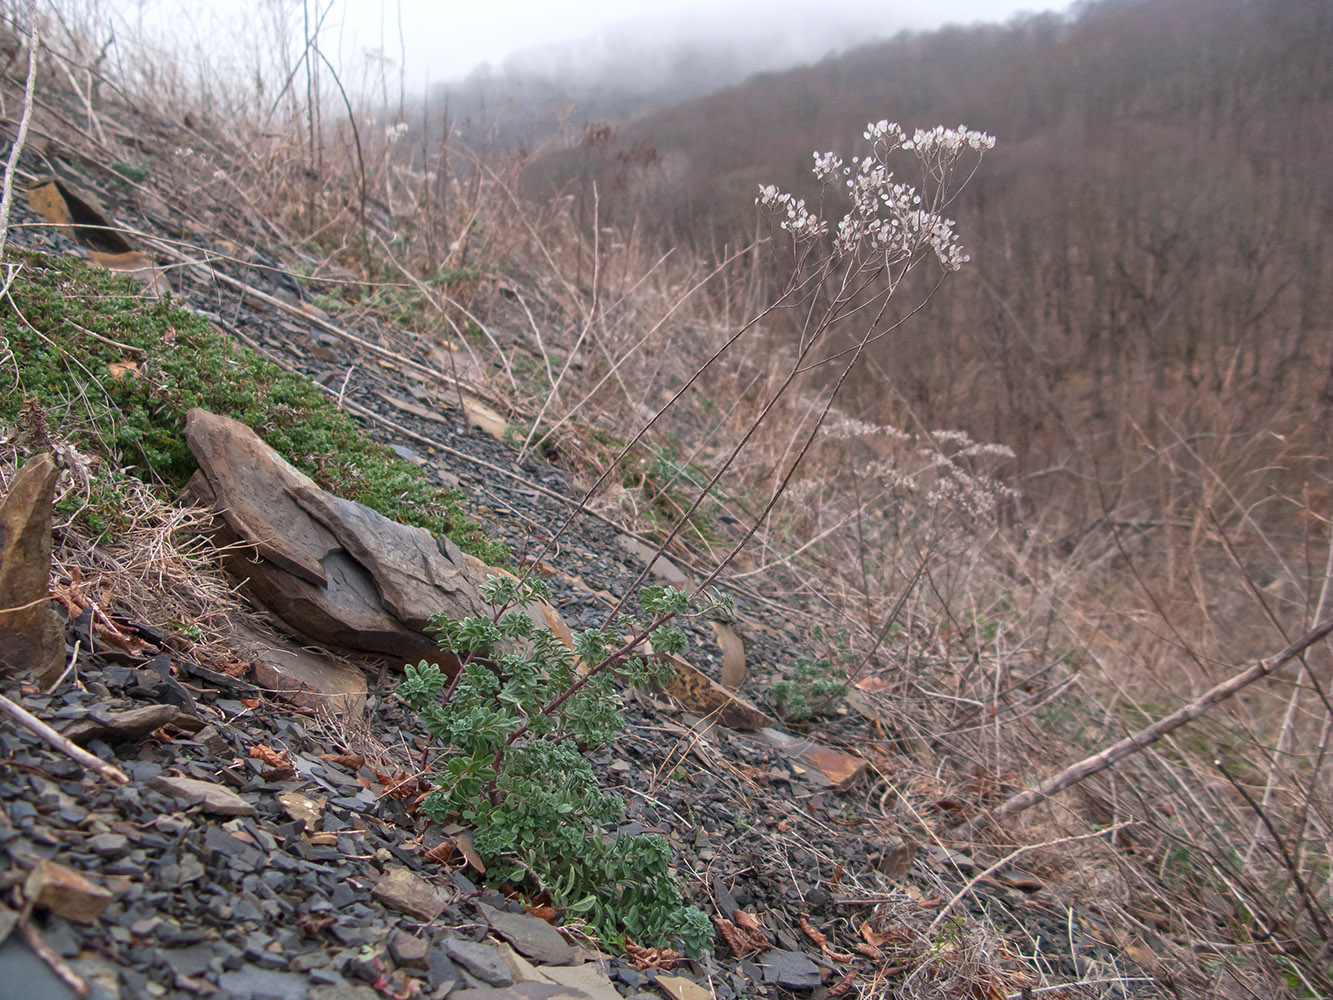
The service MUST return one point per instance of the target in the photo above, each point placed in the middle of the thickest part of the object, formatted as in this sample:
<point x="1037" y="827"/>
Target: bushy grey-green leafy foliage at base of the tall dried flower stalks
<point x="514" y="729"/>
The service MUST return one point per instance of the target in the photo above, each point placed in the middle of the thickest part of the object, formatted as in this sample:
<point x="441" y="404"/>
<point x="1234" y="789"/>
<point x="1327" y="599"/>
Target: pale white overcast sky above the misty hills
<point x="442" y="41"/>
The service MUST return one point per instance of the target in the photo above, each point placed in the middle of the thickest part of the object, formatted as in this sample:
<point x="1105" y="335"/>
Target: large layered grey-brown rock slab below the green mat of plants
<point x="334" y="571"/>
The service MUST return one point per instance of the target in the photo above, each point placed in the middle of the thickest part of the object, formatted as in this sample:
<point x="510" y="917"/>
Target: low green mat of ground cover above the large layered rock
<point x="117" y="374"/>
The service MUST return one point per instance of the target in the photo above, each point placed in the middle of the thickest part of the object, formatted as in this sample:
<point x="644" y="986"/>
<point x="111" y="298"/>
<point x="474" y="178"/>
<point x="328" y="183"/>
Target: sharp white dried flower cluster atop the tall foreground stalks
<point x="888" y="221"/>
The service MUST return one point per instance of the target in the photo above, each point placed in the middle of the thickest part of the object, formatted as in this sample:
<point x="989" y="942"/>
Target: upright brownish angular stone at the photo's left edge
<point x="33" y="635"/>
